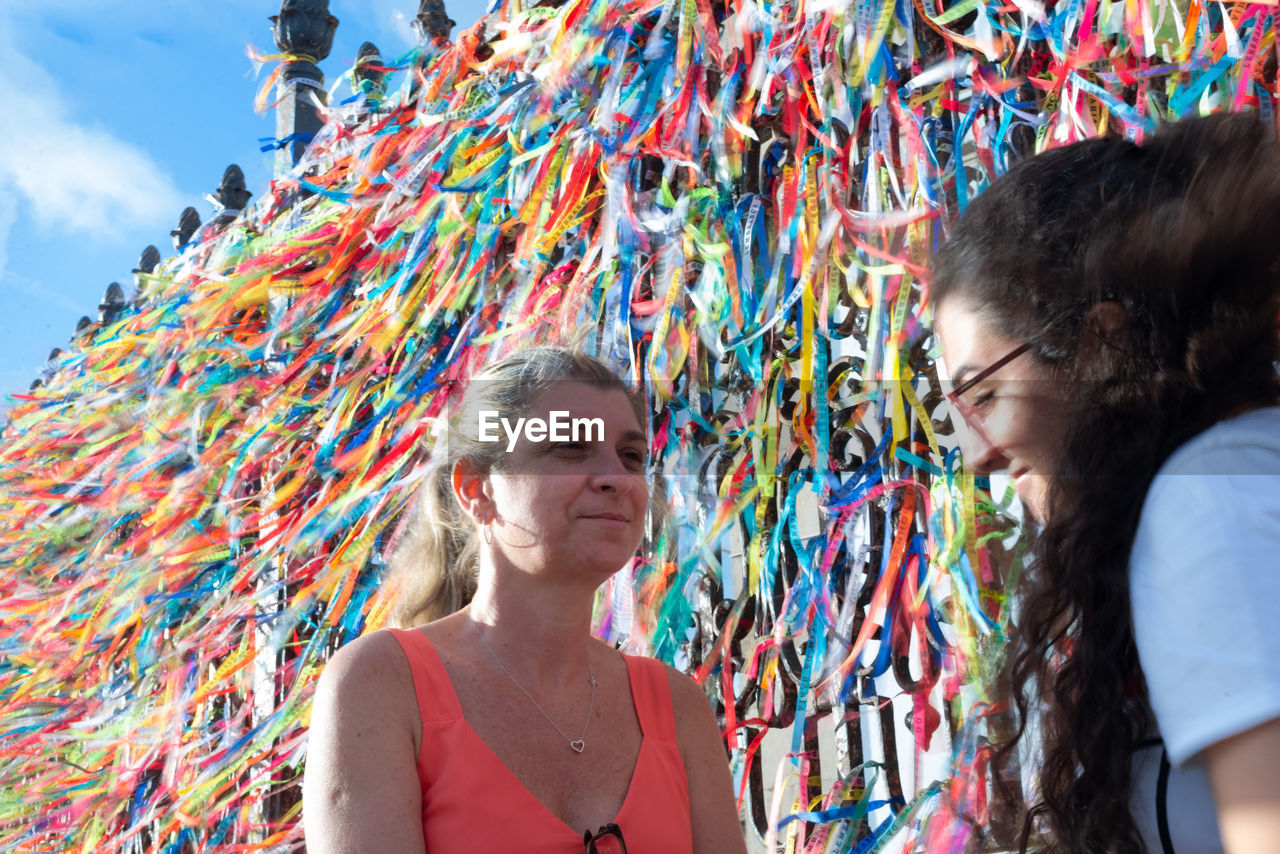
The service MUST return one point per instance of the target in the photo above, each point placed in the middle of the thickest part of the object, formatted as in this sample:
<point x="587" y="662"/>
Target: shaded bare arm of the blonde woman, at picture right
<point x="711" y="787"/>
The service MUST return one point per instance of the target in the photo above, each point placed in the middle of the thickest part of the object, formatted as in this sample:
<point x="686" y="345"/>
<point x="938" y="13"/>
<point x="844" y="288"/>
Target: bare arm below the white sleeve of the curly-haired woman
<point x="1245" y="773"/>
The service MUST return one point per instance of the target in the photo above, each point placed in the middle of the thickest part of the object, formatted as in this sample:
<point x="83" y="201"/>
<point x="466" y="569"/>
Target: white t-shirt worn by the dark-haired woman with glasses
<point x="1205" y="581"/>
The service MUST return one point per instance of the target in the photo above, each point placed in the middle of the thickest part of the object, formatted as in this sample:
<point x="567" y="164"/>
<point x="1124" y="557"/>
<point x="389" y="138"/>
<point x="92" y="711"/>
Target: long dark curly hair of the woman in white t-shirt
<point x="1183" y="232"/>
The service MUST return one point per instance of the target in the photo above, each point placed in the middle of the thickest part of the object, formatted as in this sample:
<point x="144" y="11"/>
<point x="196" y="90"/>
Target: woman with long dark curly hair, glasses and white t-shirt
<point x="1108" y="317"/>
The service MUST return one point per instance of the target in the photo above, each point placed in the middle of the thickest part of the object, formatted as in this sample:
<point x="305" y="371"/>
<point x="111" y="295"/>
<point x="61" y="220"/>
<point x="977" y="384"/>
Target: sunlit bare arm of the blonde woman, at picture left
<point x="362" y="791"/>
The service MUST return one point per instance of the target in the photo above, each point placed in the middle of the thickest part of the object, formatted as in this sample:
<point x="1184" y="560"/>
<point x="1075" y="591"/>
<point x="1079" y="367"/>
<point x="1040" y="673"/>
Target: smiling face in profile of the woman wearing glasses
<point x="1016" y="419"/>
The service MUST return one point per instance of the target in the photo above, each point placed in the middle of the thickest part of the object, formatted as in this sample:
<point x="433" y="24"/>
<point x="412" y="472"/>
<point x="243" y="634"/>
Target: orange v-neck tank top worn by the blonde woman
<point x="468" y="791"/>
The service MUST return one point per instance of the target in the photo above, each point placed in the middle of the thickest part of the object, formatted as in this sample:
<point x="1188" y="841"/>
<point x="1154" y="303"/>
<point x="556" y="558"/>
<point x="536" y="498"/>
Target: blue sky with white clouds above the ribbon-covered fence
<point x="117" y="117"/>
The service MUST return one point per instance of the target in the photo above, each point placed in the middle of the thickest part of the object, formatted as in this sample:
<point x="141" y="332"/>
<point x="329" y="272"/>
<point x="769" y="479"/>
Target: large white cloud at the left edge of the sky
<point x="79" y="177"/>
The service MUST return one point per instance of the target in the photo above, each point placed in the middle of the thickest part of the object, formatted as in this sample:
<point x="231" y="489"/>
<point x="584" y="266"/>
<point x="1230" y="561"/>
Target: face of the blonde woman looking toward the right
<point x="574" y="496"/>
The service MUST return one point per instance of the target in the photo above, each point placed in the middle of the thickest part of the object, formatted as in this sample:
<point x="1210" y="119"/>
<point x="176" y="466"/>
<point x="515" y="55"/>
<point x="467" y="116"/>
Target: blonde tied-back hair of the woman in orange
<point x="433" y="565"/>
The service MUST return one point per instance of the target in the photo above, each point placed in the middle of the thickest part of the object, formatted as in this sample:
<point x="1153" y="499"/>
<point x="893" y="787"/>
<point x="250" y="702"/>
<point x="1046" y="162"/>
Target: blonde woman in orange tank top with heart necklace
<point x="499" y="721"/>
